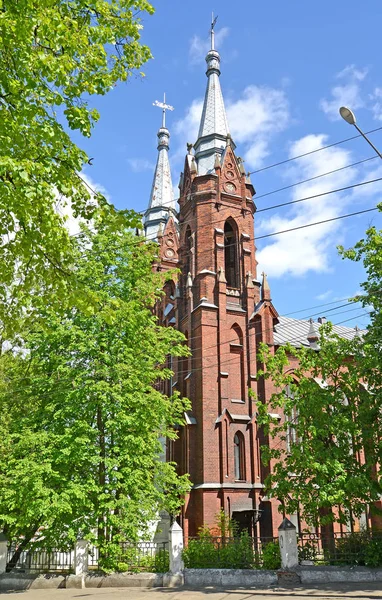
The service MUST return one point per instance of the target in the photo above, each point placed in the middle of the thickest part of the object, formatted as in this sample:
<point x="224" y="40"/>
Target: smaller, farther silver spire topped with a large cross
<point x="162" y="202"/>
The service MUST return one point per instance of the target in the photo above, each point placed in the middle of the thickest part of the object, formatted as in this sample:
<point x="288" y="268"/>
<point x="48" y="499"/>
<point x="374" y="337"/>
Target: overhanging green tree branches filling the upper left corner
<point x="55" y="54"/>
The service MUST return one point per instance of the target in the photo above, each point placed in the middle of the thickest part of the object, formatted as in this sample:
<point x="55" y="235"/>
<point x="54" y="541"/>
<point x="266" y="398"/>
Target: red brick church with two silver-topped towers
<point x="224" y="310"/>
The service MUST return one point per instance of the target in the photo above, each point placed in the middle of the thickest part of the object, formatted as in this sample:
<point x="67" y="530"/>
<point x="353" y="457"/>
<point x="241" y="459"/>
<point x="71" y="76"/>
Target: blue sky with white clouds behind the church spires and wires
<point x="286" y="69"/>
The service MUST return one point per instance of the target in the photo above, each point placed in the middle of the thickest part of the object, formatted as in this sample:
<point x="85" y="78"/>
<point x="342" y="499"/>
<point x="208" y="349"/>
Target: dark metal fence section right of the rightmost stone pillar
<point x="359" y="548"/>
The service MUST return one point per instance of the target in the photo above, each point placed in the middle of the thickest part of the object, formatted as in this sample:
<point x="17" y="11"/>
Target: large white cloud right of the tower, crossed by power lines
<point x="298" y="252"/>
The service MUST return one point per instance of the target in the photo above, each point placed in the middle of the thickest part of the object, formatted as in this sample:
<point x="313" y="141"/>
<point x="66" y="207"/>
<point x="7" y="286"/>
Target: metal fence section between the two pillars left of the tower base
<point x="152" y="557"/>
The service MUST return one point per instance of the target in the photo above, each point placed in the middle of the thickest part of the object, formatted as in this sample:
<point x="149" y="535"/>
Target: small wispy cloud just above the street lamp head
<point x="346" y="94"/>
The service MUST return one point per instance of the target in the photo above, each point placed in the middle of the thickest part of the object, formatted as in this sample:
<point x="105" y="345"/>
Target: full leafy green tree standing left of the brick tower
<point x="82" y="414"/>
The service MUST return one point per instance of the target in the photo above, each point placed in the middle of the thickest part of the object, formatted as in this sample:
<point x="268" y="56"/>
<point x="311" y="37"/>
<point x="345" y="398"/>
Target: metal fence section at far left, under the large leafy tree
<point x="43" y="561"/>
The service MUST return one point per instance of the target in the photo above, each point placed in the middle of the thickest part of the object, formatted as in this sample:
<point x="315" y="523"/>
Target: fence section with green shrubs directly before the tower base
<point x="232" y="552"/>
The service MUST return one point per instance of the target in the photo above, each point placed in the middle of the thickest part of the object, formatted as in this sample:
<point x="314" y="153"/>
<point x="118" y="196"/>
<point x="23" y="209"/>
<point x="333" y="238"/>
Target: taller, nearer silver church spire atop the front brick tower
<point x="213" y="128"/>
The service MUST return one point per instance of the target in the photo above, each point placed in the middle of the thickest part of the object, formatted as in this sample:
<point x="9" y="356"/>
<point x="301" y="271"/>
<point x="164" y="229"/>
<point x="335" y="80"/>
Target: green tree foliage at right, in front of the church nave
<point x="325" y="453"/>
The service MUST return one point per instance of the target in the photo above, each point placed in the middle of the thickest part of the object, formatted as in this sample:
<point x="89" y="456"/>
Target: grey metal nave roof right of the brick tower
<point x="296" y="332"/>
